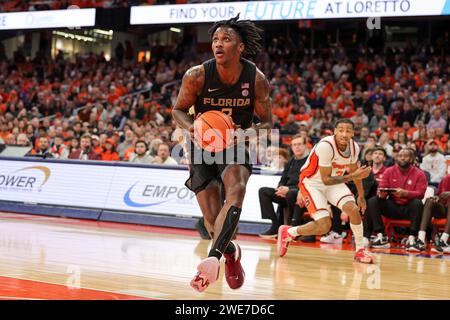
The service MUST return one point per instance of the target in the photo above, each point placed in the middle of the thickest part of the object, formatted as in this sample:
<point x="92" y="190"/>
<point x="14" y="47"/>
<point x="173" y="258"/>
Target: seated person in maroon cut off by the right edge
<point x="436" y="207"/>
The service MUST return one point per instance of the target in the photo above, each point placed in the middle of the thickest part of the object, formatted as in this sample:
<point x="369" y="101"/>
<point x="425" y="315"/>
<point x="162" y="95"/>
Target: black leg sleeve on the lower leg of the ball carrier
<point x="229" y="227"/>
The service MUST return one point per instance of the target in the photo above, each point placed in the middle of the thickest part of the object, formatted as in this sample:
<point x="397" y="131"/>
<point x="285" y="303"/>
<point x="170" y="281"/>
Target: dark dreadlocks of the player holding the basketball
<point x="250" y="34"/>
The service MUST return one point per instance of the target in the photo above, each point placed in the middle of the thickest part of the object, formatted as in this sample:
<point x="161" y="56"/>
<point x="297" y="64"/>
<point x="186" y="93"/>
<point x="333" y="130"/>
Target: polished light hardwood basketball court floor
<point x="55" y="258"/>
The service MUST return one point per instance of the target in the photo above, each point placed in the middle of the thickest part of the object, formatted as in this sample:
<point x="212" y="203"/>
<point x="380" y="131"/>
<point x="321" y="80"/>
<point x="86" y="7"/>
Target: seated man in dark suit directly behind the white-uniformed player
<point x="285" y="195"/>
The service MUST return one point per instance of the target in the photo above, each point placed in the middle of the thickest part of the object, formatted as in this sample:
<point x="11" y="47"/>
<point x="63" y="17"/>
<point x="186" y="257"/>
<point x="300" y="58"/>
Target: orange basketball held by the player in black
<point x="213" y="131"/>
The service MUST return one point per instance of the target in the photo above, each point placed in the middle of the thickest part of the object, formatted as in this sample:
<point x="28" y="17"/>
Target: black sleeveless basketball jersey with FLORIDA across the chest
<point x="236" y="100"/>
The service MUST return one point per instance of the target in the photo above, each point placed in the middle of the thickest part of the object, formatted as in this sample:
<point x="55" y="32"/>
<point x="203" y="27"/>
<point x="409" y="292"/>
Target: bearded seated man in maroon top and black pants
<point x="404" y="203"/>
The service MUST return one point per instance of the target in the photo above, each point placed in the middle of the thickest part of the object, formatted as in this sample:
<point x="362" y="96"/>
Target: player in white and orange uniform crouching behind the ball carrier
<point x="322" y="180"/>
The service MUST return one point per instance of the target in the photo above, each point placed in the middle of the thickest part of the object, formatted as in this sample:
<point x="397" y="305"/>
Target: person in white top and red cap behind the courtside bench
<point x="434" y="163"/>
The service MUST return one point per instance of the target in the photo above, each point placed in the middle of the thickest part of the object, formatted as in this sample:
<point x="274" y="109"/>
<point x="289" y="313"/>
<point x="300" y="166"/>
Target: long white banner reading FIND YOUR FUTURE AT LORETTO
<point x="286" y="10"/>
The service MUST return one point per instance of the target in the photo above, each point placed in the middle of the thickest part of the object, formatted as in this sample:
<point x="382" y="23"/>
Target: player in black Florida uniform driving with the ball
<point x="235" y="86"/>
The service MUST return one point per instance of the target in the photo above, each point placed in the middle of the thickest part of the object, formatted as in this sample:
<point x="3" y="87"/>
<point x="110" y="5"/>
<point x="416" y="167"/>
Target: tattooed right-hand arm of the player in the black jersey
<point x="263" y="105"/>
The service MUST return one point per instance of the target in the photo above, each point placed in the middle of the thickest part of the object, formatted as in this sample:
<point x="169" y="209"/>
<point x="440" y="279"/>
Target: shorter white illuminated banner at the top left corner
<point x="70" y="18"/>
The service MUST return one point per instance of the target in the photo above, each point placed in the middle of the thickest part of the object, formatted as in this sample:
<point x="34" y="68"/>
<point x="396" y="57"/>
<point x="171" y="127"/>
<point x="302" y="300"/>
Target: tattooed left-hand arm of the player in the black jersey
<point x="191" y="88"/>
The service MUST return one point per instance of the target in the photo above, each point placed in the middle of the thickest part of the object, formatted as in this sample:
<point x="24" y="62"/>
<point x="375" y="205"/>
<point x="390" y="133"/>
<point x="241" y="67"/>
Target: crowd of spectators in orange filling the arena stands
<point x="395" y="100"/>
